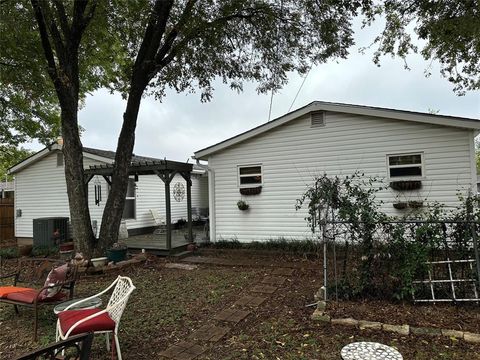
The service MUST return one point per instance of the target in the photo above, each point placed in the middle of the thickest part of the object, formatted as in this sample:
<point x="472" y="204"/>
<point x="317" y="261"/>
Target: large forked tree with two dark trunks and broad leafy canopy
<point x="143" y="47"/>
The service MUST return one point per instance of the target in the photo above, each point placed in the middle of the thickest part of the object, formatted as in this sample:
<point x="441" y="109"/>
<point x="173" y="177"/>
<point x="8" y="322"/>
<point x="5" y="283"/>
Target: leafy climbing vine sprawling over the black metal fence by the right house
<point x="382" y="256"/>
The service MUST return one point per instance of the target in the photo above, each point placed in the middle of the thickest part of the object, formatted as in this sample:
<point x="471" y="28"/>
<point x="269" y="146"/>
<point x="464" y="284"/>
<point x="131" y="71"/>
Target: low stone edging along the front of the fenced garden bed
<point x="319" y="315"/>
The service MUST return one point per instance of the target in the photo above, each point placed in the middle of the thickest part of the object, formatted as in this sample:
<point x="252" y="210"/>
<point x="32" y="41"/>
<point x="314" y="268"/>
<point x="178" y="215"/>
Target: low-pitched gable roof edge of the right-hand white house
<point x="454" y="121"/>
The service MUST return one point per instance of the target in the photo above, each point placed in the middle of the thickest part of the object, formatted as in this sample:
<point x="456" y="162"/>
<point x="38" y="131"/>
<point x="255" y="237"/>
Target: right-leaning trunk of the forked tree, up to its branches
<point x="112" y="214"/>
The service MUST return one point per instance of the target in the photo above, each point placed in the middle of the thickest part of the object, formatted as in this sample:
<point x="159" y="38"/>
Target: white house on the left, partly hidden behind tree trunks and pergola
<point x="41" y="191"/>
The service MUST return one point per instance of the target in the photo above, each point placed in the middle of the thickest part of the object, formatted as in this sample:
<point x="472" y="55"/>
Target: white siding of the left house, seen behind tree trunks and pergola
<point x="41" y="191"/>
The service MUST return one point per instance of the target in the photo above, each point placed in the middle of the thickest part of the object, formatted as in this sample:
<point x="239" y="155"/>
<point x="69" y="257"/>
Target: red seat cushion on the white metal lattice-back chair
<point x="101" y="322"/>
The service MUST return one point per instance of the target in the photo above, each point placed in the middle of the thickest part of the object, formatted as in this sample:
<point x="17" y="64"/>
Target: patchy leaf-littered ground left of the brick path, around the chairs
<point x="166" y="306"/>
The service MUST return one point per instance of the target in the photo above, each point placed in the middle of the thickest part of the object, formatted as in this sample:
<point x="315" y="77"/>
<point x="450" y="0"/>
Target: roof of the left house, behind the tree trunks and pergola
<point x="95" y="154"/>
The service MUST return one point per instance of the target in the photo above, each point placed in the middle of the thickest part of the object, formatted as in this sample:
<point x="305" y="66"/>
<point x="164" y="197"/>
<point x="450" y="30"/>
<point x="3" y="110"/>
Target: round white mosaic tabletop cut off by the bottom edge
<point x="369" y="351"/>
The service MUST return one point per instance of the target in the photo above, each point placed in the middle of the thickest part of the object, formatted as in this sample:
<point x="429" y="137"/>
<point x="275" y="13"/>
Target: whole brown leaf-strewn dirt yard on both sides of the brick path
<point x="170" y="304"/>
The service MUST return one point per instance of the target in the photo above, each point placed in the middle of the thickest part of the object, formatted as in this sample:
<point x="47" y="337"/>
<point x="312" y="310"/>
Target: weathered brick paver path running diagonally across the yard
<point x="208" y="335"/>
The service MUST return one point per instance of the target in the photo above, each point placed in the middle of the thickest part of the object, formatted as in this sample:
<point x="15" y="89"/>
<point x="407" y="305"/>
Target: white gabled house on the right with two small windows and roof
<point x="283" y="156"/>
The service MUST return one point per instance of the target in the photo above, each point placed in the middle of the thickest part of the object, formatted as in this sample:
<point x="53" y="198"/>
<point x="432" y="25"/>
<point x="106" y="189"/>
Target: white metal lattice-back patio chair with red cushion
<point x="106" y="321"/>
